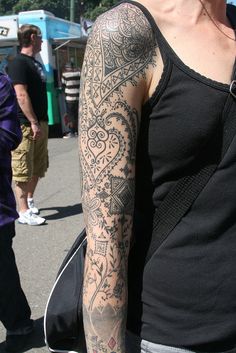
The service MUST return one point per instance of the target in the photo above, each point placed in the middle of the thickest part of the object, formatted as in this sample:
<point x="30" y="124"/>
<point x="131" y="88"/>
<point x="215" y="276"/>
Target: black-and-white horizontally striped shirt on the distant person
<point x="71" y="81"/>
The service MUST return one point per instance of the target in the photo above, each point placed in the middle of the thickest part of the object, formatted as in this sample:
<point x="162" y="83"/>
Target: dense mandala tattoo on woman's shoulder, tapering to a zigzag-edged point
<point x="121" y="47"/>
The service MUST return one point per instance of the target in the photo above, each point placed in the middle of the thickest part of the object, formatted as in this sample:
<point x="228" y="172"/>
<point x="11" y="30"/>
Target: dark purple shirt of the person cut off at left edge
<point x="10" y="137"/>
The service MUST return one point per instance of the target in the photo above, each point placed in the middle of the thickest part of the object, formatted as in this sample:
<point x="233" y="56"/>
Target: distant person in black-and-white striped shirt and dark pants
<point x="71" y="83"/>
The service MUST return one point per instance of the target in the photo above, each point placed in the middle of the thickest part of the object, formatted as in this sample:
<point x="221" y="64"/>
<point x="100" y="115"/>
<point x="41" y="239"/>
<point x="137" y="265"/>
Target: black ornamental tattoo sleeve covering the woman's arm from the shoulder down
<point x="119" y="52"/>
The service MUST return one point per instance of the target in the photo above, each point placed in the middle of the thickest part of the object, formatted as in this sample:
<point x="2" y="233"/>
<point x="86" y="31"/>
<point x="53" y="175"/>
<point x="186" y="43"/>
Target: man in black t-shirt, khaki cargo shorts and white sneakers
<point x="30" y="159"/>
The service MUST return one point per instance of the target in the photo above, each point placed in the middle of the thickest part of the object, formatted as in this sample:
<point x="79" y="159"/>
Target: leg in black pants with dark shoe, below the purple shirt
<point x="14" y="309"/>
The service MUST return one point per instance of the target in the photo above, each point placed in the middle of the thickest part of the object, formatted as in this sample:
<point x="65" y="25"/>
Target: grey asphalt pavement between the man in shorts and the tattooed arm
<point x="40" y="250"/>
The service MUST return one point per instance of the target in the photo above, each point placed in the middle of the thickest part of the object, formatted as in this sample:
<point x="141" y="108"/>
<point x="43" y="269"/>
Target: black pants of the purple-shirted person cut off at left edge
<point x="14" y="308"/>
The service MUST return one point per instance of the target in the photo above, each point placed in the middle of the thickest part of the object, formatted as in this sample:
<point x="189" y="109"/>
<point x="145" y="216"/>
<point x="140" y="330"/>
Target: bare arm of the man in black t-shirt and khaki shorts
<point x="26" y="107"/>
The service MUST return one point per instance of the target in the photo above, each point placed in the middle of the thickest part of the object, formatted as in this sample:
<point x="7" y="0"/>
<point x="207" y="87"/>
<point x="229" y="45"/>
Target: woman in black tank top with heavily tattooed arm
<point x="157" y="85"/>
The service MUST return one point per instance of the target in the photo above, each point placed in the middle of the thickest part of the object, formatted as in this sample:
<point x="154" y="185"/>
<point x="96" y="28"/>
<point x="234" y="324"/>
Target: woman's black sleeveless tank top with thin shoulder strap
<point x="188" y="289"/>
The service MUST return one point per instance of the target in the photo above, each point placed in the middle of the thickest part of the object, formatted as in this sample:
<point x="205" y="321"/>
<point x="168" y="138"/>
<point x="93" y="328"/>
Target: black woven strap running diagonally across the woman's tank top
<point x="186" y="190"/>
